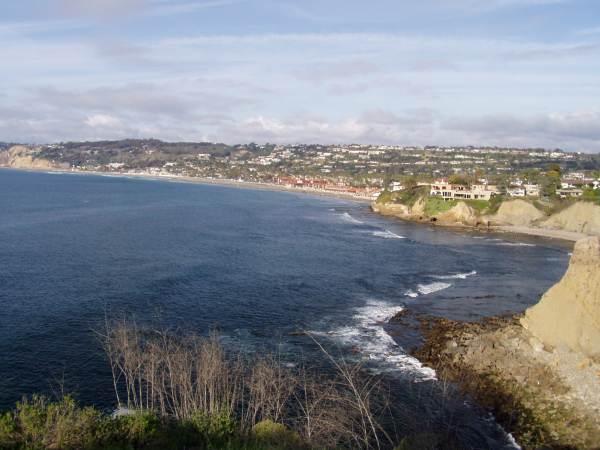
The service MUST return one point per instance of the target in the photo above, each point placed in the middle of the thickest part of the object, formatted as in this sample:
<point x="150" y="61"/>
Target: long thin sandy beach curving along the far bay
<point x="204" y="181"/>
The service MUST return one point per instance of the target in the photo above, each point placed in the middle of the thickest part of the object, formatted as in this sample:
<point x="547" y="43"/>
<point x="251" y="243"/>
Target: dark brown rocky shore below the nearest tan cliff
<point x="510" y="373"/>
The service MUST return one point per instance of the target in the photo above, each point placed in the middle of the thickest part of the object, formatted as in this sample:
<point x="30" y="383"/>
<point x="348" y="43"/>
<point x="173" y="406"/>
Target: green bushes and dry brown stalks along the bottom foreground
<point x="188" y="392"/>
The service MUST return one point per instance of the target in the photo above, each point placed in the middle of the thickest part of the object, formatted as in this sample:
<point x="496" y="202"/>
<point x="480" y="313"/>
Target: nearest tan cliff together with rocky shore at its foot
<point x="539" y="373"/>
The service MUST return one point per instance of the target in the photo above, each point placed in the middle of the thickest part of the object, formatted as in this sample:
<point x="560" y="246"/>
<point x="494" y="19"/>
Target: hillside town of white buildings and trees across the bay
<point x="363" y="171"/>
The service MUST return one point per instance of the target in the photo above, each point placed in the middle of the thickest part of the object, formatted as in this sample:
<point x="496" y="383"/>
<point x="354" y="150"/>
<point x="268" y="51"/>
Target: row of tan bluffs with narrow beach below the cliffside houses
<point x="519" y="216"/>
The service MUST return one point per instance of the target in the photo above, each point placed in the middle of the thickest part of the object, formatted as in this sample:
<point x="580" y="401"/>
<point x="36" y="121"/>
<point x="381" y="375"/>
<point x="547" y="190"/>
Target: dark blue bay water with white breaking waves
<point x="256" y="264"/>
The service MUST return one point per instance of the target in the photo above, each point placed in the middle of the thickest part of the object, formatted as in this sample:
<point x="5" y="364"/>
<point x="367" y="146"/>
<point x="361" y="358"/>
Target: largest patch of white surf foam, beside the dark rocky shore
<point x="367" y="336"/>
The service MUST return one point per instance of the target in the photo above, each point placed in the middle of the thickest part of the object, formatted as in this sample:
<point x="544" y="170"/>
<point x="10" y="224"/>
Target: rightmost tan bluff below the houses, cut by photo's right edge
<point x="581" y="217"/>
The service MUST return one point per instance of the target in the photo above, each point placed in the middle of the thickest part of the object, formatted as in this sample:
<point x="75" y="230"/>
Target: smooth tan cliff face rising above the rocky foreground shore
<point x="569" y="313"/>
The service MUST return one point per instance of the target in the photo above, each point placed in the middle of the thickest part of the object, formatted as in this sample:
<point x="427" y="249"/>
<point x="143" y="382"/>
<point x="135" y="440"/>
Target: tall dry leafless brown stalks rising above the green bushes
<point x="184" y="377"/>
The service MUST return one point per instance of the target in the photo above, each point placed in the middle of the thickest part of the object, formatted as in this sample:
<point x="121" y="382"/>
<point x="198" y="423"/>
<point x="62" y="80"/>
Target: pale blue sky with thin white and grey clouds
<point x="522" y="73"/>
